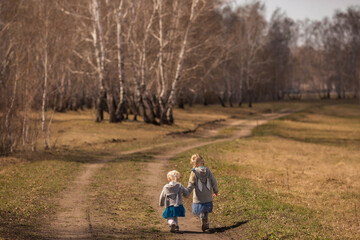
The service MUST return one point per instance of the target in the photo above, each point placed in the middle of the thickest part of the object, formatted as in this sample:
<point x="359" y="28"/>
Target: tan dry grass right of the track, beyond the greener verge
<point x="309" y="159"/>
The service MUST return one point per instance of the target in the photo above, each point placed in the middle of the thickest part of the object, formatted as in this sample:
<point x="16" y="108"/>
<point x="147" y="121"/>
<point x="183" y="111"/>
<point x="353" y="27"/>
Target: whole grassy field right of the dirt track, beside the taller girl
<point x="296" y="177"/>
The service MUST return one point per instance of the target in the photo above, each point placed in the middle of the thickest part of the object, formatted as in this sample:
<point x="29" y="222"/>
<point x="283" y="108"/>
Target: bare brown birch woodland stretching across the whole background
<point x="144" y="57"/>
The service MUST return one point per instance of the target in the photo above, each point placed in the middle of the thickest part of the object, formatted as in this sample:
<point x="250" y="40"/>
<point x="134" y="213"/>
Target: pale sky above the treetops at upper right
<point x="301" y="9"/>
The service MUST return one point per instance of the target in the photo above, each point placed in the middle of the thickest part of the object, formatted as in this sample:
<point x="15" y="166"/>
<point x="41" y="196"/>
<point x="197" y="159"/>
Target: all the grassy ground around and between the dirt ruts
<point x="295" y="177"/>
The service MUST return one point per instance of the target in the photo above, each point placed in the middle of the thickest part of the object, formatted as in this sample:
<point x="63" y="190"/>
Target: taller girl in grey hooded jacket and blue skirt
<point x="205" y="185"/>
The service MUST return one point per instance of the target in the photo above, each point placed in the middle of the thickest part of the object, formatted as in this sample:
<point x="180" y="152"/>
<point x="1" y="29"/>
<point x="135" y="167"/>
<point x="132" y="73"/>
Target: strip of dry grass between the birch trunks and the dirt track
<point x="78" y="130"/>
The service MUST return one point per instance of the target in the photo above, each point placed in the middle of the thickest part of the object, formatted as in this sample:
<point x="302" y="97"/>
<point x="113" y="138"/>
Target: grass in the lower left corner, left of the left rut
<point x="27" y="189"/>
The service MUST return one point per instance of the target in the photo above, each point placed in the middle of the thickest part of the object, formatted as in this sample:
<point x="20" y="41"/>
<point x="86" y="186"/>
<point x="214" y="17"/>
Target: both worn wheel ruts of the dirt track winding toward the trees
<point x="73" y="221"/>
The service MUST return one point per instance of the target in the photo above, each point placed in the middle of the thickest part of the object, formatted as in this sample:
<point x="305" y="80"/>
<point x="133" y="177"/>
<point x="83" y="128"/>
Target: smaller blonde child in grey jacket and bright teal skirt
<point x="171" y="198"/>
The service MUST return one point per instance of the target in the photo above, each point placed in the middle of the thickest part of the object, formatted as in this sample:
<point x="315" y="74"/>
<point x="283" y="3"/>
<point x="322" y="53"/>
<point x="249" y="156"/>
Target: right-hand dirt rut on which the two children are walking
<point x="190" y="225"/>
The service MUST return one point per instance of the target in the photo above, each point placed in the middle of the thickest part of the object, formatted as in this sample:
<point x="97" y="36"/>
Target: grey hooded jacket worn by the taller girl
<point x="205" y="184"/>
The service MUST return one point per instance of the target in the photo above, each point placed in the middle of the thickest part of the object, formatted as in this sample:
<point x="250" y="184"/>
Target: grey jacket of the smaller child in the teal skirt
<point x="172" y="193"/>
